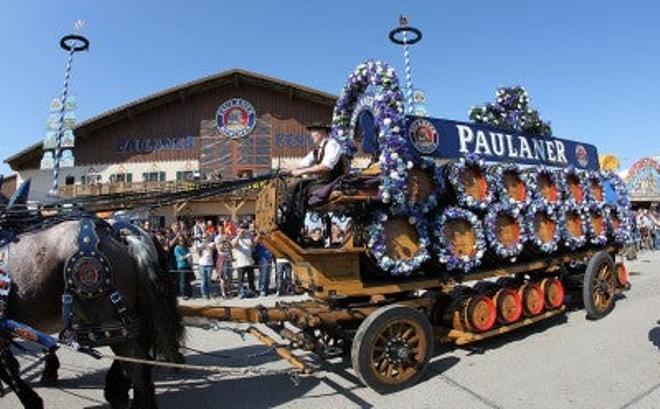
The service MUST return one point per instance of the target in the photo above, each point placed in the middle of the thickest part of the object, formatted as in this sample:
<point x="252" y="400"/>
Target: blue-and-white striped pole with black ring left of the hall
<point x="71" y="43"/>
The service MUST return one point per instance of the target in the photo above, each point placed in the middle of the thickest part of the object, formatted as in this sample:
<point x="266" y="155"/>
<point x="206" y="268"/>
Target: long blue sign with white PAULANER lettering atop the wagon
<point x="451" y="139"/>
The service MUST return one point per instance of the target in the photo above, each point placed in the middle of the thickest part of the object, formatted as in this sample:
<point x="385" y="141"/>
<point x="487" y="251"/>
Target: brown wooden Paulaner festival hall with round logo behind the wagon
<point x="231" y="125"/>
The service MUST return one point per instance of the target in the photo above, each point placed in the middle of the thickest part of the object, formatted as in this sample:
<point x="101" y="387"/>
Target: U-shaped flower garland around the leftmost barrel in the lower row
<point x="378" y="246"/>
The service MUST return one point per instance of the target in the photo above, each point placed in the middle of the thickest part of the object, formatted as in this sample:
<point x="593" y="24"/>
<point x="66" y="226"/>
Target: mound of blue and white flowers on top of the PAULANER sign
<point x="511" y="111"/>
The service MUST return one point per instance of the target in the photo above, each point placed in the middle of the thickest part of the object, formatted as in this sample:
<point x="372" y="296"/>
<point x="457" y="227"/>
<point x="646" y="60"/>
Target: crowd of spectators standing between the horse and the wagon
<point x="223" y="257"/>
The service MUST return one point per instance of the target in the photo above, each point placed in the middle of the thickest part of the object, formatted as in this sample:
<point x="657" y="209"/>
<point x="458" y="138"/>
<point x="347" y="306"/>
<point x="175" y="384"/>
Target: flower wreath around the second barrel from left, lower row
<point x="443" y="247"/>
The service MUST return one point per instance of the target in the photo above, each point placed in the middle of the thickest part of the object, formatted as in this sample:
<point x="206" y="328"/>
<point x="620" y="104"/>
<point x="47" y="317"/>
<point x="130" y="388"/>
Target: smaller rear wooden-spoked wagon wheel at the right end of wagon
<point x="599" y="285"/>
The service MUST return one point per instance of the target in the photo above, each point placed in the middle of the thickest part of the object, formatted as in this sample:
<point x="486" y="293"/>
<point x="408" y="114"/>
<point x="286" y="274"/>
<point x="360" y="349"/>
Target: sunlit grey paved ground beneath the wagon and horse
<point x="568" y="362"/>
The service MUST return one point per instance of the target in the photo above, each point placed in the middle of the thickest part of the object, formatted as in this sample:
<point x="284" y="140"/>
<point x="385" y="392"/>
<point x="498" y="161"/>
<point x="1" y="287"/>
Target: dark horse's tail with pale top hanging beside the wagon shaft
<point x="157" y="303"/>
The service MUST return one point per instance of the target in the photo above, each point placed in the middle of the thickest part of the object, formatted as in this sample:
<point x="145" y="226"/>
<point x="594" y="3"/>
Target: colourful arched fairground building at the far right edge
<point x="643" y="181"/>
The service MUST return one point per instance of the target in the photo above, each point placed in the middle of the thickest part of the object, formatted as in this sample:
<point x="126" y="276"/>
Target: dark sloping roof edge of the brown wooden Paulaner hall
<point x="179" y="92"/>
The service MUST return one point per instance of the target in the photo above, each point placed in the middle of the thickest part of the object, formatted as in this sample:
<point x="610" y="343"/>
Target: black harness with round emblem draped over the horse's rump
<point x="89" y="277"/>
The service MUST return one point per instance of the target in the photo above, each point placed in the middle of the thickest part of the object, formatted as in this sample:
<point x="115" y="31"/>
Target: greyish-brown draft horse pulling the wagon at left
<point x="37" y="262"/>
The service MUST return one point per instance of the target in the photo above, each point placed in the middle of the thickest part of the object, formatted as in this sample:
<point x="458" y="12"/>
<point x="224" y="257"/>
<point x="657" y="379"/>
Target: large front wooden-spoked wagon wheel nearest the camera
<point x="392" y="348"/>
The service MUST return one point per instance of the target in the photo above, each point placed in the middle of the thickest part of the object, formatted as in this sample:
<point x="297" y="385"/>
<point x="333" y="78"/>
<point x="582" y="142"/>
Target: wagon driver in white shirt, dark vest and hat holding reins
<point x="323" y="165"/>
